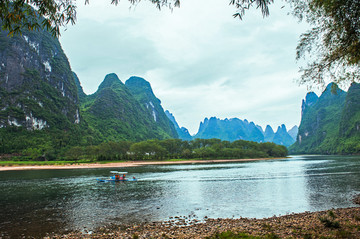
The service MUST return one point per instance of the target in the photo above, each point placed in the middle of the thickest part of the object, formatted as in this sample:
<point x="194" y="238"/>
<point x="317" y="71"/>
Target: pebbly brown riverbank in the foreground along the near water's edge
<point x="336" y="223"/>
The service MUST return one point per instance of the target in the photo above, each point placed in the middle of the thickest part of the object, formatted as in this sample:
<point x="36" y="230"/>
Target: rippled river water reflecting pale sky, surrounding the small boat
<point x="37" y="202"/>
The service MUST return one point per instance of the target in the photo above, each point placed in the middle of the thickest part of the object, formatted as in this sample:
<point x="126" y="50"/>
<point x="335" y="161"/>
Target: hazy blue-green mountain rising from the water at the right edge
<point x="330" y="123"/>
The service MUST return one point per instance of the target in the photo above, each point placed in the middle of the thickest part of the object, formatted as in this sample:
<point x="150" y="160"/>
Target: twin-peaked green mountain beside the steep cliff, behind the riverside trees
<point x="117" y="112"/>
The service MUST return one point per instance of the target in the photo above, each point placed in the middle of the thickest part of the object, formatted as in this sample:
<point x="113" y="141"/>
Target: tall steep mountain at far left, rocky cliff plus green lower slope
<point x="39" y="111"/>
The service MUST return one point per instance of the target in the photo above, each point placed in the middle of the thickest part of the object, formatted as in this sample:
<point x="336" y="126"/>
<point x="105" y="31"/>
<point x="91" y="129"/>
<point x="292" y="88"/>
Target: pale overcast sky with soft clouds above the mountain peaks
<point x="199" y="60"/>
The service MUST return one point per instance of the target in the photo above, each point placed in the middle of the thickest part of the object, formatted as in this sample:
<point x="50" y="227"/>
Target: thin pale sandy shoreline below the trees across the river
<point x="124" y="164"/>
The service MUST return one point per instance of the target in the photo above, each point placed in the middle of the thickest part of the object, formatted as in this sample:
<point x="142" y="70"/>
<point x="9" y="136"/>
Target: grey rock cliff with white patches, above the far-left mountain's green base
<point x="37" y="87"/>
